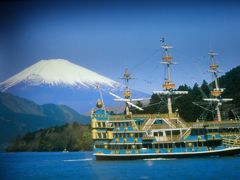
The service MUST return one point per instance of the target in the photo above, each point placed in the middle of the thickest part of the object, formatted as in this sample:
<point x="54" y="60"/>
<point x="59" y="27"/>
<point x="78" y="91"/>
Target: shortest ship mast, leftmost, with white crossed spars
<point x="127" y="94"/>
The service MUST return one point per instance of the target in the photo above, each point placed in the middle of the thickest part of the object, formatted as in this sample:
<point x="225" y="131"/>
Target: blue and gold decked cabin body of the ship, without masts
<point x="155" y="133"/>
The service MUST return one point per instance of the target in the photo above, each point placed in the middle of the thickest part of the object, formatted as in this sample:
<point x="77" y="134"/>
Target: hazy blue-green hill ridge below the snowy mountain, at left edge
<point x="19" y="115"/>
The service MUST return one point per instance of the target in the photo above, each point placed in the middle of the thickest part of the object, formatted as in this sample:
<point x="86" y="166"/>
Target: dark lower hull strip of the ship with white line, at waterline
<point x="224" y="152"/>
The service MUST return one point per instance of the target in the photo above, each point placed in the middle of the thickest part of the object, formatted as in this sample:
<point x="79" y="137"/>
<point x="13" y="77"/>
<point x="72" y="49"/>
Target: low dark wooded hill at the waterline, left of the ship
<point x="72" y="137"/>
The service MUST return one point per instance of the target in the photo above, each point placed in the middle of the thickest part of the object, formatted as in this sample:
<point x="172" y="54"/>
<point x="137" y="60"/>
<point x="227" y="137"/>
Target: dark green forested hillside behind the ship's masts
<point x="186" y="104"/>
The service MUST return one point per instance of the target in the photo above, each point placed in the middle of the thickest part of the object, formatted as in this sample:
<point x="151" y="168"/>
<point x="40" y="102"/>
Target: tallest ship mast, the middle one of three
<point x="168" y="85"/>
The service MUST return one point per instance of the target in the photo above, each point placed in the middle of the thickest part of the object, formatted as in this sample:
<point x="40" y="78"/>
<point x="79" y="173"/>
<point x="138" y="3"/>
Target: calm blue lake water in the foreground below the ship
<point x="81" y="165"/>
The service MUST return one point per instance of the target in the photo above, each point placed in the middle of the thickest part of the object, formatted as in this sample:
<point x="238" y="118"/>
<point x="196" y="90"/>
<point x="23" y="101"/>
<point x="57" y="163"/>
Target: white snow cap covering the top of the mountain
<point x="58" y="72"/>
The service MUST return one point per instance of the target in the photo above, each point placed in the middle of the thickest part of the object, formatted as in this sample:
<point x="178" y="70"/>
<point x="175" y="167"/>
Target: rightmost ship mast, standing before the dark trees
<point x="217" y="91"/>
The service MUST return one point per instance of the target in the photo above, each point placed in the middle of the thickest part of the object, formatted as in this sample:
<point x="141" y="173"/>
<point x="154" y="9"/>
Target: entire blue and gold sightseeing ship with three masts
<point x="140" y="136"/>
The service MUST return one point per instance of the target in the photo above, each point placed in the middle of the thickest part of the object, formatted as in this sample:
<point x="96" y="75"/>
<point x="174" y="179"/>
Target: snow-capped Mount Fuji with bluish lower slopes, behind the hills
<point x="61" y="82"/>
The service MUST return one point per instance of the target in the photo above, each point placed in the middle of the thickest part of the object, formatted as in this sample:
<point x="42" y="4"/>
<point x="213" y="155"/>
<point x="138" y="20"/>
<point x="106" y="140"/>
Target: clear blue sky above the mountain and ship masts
<point x="109" y="36"/>
